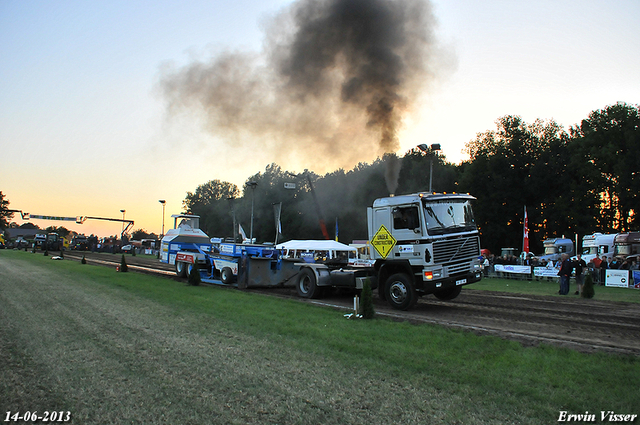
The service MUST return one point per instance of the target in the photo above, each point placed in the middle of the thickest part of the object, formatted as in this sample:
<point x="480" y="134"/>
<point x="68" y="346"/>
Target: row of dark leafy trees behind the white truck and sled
<point x="576" y="181"/>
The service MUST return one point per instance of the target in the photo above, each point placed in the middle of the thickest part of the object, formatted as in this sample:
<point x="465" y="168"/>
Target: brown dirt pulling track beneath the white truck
<point x="584" y="325"/>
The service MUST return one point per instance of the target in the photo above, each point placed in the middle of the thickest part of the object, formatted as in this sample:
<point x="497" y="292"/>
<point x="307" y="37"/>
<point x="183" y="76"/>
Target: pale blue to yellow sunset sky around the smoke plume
<point x="84" y="122"/>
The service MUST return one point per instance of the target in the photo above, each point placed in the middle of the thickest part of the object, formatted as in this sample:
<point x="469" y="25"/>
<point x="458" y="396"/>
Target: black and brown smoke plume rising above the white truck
<point x="329" y="90"/>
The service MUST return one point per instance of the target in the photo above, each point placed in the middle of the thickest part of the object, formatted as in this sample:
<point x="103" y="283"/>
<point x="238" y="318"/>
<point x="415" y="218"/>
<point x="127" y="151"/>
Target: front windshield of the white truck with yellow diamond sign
<point x="448" y="216"/>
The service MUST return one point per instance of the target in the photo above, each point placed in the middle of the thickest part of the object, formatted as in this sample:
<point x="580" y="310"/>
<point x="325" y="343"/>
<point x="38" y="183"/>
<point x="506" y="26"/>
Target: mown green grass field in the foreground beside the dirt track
<point x="130" y="348"/>
